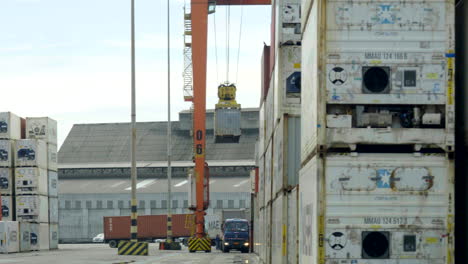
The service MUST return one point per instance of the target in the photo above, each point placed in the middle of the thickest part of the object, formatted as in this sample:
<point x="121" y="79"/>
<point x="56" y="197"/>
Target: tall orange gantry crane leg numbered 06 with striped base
<point x="198" y="16"/>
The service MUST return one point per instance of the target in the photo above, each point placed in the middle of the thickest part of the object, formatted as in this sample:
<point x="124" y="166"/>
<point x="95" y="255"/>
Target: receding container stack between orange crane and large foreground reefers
<point x="279" y="141"/>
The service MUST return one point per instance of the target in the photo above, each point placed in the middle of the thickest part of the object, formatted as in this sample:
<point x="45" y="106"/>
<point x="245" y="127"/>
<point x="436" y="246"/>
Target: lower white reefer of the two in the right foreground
<point x="369" y="208"/>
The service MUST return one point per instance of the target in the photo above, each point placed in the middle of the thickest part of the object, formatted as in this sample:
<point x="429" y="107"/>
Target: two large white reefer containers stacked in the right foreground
<point x="377" y="132"/>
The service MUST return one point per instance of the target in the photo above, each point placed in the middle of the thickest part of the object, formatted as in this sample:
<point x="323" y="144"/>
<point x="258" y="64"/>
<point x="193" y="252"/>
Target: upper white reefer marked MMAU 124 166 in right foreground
<point x="387" y="69"/>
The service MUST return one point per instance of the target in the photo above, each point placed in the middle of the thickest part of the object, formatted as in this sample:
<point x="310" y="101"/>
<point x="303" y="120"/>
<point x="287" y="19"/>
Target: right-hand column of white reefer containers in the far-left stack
<point x="36" y="182"/>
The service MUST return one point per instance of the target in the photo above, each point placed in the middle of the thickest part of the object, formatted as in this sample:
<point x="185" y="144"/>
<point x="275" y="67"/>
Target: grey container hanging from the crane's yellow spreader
<point x="227" y="128"/>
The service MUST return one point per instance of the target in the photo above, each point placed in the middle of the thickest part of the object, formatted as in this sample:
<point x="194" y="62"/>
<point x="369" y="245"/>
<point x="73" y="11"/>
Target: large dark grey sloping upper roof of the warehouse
<point x="109" y="144"/>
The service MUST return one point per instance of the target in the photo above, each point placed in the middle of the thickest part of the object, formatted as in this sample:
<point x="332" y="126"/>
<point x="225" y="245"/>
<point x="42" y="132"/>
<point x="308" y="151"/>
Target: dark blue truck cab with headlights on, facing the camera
<point x="235" y="235"/>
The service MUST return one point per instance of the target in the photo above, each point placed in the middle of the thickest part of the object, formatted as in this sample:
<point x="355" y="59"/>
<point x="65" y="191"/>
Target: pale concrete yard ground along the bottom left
<point x="103" y="254"/>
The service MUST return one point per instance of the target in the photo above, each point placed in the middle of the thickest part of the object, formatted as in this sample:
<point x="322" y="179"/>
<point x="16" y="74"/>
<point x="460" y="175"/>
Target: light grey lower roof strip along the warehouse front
<point x="116" y="186"/>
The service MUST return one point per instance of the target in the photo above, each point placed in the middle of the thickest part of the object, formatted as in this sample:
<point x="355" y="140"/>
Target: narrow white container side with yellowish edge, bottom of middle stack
<point x="278" y="230"/>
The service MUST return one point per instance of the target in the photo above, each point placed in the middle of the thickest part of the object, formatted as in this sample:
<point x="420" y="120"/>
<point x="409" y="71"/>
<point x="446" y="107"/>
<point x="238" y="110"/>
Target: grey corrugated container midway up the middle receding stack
<point x="286" y="157"/>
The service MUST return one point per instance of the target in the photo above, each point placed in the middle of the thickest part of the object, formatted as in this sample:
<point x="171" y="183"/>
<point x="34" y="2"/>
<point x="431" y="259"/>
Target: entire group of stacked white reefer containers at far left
<point x="32" y="180"/>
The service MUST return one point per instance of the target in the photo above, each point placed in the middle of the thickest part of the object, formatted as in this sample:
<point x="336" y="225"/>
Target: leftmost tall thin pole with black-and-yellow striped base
<point x="134" y="216"/>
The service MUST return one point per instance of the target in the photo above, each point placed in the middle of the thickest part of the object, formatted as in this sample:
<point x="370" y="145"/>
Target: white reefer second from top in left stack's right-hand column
<point x="31" y="153"/>
